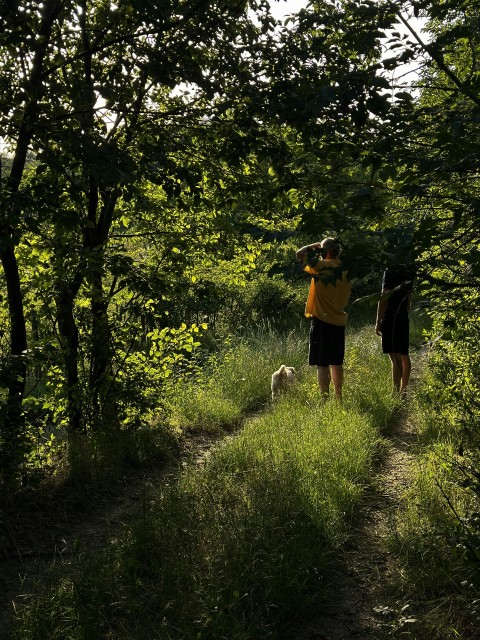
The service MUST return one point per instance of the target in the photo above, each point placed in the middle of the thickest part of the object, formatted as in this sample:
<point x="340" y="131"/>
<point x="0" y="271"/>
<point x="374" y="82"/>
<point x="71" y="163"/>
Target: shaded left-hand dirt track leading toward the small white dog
<point x="46" y="530"/>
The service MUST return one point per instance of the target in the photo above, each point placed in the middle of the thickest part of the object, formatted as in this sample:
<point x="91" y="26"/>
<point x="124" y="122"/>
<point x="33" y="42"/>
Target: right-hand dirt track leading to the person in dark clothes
<point x="360" y="604"/>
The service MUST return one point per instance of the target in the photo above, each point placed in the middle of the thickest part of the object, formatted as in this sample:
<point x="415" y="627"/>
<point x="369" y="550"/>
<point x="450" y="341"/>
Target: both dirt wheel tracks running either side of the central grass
<point x="358" y="604"/>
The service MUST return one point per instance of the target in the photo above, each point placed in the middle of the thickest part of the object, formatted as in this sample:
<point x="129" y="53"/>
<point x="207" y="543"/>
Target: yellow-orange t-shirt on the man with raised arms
<point x="329" y="292"/>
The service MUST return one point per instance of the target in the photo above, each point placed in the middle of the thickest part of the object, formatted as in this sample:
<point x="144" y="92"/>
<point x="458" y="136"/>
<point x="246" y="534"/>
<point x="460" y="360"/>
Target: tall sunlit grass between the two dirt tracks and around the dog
<point x="237" y="547"/>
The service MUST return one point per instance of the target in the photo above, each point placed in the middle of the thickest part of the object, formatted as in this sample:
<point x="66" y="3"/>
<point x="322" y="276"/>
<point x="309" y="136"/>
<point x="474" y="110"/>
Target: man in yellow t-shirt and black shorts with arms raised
<point x="327" y="298"/>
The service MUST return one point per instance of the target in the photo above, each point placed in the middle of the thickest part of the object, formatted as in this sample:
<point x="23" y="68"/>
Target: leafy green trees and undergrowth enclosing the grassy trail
<point x="162" y="161"/>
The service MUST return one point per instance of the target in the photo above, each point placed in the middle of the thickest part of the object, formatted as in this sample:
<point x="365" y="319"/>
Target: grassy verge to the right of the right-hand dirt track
<point x="436" y="537"/>
